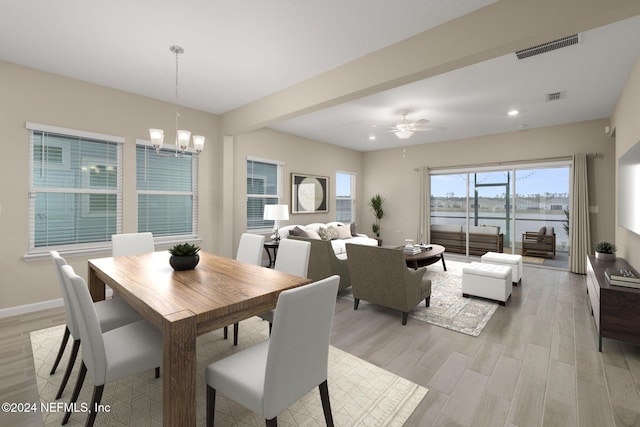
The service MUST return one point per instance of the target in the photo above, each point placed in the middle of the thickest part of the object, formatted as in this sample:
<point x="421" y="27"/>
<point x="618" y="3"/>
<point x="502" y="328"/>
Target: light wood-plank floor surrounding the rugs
<point x="535" y="364"/>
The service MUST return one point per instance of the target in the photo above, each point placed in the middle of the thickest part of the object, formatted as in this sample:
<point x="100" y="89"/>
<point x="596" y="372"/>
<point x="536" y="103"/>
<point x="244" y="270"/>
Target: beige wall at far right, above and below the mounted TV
<point x="626" y="122"/>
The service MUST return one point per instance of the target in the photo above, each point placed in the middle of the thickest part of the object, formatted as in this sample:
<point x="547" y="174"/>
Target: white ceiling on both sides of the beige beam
<point x="239" y="51"/>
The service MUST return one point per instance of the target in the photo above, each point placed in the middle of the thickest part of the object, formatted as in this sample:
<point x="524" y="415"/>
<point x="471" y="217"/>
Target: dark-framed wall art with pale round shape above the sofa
<point x="309" y="193"/>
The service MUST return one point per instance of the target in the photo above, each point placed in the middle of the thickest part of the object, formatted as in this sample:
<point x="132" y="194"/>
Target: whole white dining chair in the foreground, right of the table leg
<point x="270" y="376"/>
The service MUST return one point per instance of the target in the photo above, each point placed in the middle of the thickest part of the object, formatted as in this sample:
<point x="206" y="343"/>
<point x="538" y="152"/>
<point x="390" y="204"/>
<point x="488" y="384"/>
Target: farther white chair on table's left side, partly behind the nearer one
<point x="112" y="313"/>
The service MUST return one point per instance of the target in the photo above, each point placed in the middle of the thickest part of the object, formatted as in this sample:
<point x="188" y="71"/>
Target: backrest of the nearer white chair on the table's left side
<point x="93" y="351"/>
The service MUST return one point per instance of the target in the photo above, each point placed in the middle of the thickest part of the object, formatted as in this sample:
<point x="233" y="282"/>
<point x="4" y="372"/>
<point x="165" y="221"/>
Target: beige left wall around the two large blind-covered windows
<point x="30" y="95"/>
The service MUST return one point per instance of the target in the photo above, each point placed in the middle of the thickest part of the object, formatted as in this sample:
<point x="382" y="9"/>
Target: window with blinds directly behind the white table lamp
<point x="264" y="184"/>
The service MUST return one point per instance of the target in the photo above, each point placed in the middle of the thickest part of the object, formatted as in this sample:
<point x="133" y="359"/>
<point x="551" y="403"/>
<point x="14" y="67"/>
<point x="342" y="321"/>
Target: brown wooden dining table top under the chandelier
<point x="219" y="291"/>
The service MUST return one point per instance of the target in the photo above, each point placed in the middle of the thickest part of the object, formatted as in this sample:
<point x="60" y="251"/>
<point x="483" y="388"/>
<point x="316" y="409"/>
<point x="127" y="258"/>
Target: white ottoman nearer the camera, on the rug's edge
<point x="490" y="281"/>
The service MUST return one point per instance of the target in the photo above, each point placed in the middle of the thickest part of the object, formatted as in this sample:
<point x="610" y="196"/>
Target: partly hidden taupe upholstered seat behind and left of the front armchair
<point x="324" y="263"/>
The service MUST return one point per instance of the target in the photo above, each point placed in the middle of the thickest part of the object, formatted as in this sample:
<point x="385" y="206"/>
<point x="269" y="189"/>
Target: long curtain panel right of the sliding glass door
<point x="579" y="224"/>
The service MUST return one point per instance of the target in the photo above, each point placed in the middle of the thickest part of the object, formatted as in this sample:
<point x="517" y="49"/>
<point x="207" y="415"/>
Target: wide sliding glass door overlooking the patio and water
<point x="524" y="203"/>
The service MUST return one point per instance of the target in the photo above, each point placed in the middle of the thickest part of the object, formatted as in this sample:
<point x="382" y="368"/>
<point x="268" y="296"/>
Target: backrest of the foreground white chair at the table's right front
<point x="298" y="352"/>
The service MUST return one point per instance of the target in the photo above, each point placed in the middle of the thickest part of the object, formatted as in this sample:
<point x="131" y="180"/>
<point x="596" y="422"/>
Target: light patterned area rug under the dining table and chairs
<point x="361" y="394"/>
